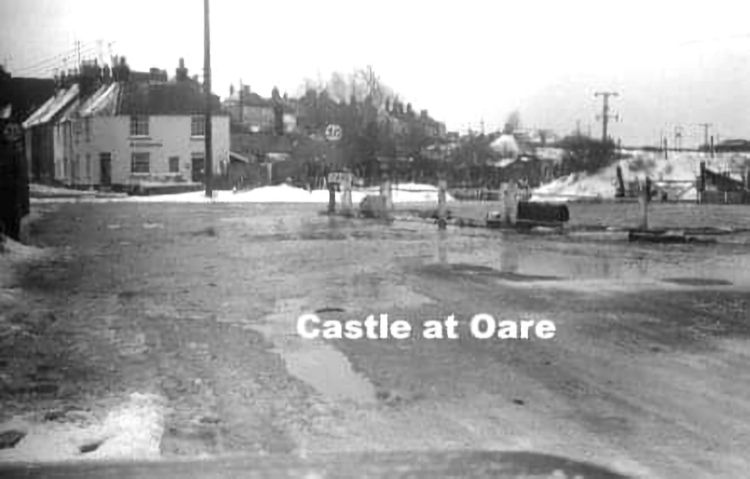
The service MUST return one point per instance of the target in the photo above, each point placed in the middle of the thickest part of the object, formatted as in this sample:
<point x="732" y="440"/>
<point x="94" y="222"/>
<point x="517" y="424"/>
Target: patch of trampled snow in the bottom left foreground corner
<point x="131" y="431"/>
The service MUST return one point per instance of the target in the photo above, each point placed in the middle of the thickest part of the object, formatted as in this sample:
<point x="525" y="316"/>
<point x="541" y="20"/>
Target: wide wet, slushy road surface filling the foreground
<point x="194" y="307"/>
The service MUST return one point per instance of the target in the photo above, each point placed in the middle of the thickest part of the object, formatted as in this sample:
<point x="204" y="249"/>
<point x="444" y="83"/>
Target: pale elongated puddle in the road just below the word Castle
<point x="313" y="361"/>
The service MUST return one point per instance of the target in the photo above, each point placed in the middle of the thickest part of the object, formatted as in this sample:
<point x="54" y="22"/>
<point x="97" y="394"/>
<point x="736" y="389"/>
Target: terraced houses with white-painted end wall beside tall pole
<point x="125" y="130"/>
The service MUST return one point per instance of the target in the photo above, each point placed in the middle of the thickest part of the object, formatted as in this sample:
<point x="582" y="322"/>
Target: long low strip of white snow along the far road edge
<point x="402" y="193"/>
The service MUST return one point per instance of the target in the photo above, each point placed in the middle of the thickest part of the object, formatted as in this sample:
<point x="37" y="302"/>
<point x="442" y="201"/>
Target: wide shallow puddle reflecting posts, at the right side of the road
<point x="518" y="261"/>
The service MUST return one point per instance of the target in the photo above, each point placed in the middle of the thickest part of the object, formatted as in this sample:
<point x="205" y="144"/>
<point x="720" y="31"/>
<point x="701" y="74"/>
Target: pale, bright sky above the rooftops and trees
<point x="469" y="62"/>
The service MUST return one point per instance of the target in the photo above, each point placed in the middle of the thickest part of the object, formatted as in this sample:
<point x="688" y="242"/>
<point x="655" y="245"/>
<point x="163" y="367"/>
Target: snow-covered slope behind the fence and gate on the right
<point x="682" y="167"/>
